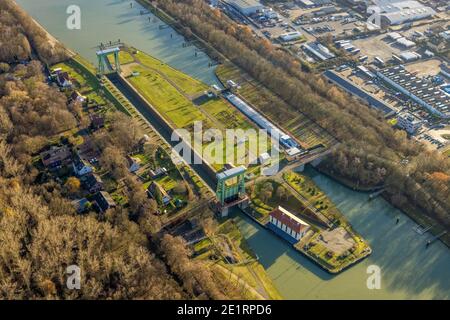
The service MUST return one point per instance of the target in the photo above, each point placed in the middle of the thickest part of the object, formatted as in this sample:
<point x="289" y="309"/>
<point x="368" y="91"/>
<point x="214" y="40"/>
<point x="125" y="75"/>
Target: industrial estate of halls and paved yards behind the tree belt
<point x="399" y="67"/>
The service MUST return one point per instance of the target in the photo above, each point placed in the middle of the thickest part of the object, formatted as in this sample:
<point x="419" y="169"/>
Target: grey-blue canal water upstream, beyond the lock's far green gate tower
<point x="111" y="20"/>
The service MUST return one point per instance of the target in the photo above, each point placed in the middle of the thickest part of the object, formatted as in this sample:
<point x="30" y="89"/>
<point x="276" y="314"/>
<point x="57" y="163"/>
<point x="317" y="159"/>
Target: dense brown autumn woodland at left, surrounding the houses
<point x="120" y="252"/>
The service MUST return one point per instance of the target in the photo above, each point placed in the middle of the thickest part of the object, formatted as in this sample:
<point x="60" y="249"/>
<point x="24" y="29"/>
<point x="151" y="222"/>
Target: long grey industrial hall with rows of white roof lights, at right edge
<point x="419" y="90"/>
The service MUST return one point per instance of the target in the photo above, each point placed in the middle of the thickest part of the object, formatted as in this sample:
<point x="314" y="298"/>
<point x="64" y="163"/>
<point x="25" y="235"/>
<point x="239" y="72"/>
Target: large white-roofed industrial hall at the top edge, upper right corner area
<point x="399" y="12"/>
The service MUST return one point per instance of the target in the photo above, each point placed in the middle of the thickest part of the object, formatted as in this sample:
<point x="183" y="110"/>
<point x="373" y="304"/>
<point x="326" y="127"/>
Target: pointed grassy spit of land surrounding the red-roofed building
<point x="331" y="242"/>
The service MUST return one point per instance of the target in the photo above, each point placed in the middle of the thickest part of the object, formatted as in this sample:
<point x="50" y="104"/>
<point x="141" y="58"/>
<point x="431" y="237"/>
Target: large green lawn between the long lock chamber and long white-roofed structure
<point x="180" y="99"/>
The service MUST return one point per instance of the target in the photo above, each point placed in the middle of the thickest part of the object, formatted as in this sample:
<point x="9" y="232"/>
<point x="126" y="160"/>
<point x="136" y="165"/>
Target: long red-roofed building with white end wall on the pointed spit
<point x="288" y="223"/>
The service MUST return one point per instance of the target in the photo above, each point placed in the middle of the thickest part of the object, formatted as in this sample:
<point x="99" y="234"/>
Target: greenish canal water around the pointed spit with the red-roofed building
<point x="409" y="270"/>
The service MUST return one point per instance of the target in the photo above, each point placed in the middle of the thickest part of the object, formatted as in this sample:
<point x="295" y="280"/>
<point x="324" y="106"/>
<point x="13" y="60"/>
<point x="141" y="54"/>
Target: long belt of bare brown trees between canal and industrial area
<point x="371" y="152"/>
